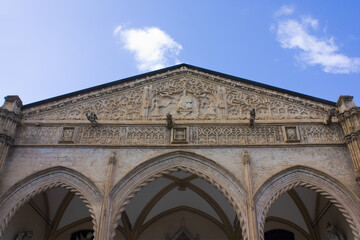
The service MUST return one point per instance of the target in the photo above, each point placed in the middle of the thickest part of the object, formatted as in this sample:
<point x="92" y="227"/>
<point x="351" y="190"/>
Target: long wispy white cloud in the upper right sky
<point x="295" y="34"/>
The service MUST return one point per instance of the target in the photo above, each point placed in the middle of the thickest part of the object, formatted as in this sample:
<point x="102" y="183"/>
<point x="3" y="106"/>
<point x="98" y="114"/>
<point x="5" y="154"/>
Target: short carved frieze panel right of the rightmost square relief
<point x="321" y="134"/>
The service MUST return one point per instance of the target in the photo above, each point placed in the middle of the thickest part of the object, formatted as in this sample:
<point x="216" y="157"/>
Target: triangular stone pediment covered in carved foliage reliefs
<point x="188" y="93"/>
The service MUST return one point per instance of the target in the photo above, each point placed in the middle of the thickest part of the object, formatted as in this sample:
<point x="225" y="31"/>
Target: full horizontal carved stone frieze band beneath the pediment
<point x="234" y="134"/>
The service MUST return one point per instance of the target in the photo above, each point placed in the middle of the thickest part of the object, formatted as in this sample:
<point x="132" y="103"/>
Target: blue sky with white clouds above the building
<point x="49" y="48"/>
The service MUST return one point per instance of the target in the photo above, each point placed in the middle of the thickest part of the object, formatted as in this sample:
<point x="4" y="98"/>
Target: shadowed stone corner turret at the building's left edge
<point x="10" y="115"/>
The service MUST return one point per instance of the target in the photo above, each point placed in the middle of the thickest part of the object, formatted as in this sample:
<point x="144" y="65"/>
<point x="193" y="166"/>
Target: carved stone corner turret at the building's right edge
<point x="348" y="115"/>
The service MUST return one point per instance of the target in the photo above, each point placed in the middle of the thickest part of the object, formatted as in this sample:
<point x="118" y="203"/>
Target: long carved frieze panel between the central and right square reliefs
<point x="235" y="135"/>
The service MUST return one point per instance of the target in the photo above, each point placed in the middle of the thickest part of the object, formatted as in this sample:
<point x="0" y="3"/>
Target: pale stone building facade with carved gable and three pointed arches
<point x="181" y="153"/>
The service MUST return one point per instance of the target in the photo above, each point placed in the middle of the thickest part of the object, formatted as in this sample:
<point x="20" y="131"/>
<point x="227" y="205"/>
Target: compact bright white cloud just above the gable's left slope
<point x="152" y="47"/>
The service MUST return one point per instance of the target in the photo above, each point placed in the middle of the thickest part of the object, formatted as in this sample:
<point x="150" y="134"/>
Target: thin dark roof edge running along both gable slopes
<point x="86" y="90"/>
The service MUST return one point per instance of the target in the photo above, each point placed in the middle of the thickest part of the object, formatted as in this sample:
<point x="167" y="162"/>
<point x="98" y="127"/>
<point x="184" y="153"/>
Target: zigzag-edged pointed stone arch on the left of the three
<point x="44" y="180"/>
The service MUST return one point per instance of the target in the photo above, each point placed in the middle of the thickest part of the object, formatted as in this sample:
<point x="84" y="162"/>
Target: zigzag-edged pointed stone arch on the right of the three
<point x="346" y="202"/>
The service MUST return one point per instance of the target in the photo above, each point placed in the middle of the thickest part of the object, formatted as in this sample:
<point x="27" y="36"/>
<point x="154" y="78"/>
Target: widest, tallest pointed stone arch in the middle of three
<point x="198" y="165"/>
